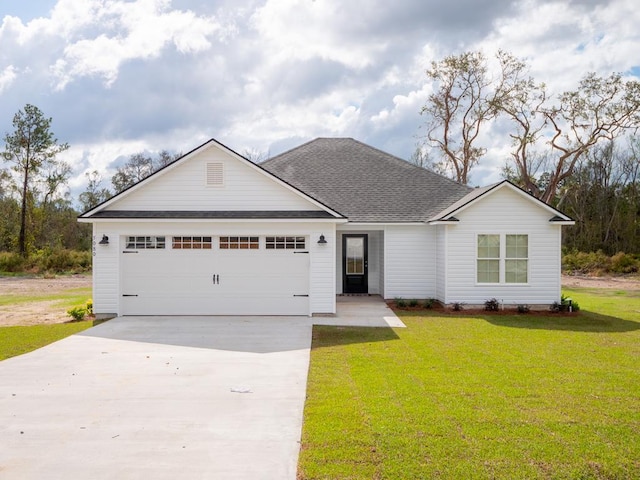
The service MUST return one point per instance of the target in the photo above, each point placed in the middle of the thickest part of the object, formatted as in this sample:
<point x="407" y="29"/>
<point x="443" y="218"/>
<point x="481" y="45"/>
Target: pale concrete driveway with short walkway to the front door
<point x="164" y="398"/>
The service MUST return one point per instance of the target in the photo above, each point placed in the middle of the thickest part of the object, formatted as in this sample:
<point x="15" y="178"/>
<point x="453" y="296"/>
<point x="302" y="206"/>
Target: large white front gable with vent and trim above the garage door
<point x="191" y="184"/>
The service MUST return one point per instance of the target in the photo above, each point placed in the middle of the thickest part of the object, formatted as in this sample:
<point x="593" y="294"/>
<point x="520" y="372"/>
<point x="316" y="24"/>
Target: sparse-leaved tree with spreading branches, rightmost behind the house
<point x="600" y="109"/>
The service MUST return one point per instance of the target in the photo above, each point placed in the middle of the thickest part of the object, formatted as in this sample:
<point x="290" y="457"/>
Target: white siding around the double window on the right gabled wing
<point x="503" y="213"/>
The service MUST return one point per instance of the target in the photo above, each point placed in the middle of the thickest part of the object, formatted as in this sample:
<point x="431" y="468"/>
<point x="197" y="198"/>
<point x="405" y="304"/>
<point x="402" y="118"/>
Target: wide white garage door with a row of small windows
<point x="247" y="276"/>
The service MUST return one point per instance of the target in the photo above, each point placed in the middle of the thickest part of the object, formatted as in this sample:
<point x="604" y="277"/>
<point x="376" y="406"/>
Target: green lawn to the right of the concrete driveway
<point x="479" y="397"/>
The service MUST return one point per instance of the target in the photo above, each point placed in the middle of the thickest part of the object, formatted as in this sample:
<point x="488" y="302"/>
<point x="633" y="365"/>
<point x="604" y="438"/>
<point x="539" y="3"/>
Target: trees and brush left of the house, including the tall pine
<point x="37" y="211"/>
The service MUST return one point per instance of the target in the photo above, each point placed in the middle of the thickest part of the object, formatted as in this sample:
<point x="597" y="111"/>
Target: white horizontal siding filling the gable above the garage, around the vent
<point x="184" y="187"/>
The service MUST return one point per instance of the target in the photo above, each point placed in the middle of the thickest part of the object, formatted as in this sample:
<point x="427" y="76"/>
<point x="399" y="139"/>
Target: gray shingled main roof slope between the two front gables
<point x="363" y="183"/>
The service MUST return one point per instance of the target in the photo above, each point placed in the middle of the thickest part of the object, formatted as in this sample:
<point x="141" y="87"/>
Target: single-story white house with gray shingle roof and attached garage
<point x="215" y="234"/>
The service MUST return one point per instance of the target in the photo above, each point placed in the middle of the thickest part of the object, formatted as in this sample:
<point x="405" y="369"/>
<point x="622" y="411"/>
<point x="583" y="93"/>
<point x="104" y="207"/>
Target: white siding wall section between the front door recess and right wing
<point x="410" y="261"/>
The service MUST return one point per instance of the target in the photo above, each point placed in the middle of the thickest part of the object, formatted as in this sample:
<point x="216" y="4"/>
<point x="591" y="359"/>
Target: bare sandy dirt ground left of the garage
<point x="38" y="312"/>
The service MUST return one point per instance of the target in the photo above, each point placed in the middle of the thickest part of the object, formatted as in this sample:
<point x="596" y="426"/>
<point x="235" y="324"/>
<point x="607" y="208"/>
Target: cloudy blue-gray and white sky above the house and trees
<point x="120" y="77"/>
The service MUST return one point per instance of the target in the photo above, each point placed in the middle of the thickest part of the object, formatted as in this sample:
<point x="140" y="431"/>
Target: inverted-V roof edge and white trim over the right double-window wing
<point x="448" y="214"/>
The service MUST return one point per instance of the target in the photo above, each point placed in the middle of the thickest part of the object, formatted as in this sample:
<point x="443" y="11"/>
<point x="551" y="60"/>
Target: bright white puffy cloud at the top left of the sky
<point x="130" y="31"/>
